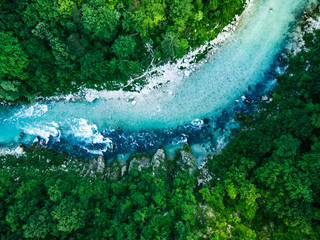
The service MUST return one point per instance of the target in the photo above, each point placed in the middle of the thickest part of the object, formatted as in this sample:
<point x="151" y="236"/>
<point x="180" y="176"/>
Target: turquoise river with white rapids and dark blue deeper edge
<point x="188" y="110"/>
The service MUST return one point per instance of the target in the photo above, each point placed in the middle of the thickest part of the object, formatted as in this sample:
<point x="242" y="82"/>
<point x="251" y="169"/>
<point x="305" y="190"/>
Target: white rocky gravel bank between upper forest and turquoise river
<point x="160" y="74"/>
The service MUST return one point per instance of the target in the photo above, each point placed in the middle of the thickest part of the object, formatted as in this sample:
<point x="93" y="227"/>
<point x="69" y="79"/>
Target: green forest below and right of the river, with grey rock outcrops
<point x="263" y="185"/>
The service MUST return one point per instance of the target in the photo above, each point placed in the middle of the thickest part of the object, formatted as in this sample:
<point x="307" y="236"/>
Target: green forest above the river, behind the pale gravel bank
<point x="58" y="47"/>
